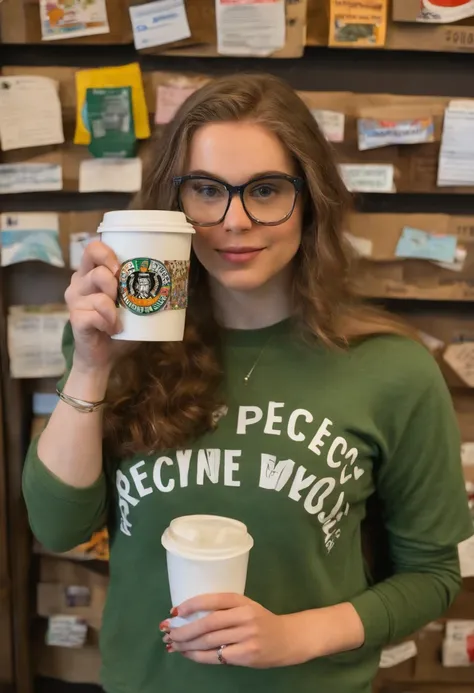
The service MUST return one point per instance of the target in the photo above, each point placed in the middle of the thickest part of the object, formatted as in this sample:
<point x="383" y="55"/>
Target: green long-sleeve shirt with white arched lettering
<point x="300" y="449"/>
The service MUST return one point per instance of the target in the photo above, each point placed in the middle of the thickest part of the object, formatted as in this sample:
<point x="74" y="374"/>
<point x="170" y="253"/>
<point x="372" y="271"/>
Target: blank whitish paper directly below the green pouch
<point x="110" y="175"/>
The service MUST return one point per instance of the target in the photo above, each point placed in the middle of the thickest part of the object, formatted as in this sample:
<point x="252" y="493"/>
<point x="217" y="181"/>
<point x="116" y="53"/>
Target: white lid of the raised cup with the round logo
<point x="145" y="220"/>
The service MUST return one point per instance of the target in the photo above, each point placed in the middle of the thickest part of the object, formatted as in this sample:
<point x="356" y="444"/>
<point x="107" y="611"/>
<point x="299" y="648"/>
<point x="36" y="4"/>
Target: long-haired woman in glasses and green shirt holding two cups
<point x="287" y="406"/>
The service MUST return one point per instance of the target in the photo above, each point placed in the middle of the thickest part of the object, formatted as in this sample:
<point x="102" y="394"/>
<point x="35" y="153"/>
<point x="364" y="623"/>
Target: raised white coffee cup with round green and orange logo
<point x="153" y="248"/>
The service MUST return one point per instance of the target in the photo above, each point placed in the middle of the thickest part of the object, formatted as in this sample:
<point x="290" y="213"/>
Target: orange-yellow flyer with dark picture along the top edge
<point x="358" y="23"/>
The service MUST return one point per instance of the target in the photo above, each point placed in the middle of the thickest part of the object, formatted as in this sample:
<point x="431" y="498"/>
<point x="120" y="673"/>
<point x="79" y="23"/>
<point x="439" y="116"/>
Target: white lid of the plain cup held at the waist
<point x="206" y="537"/>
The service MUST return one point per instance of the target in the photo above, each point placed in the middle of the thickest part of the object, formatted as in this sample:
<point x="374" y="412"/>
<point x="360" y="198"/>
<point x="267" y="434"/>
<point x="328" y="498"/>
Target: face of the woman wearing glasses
<point x="237" y="252"/>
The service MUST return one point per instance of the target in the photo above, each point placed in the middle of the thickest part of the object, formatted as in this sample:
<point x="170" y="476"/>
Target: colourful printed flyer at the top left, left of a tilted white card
<point x="61" y="19"/>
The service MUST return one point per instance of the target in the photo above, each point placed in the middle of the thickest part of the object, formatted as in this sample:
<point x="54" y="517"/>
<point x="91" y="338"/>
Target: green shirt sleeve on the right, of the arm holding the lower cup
<point x="422" y="491"/>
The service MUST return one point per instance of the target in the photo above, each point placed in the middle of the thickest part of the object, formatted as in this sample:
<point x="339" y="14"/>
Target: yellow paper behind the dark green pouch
<point x="123" y="76"/>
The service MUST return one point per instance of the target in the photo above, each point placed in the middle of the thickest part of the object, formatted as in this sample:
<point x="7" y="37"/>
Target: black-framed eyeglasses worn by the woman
<point x="268" y="200"/>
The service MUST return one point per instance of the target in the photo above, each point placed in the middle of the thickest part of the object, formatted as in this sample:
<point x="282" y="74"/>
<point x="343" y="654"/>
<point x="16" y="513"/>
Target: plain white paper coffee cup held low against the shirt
<point x="206" y="554"/>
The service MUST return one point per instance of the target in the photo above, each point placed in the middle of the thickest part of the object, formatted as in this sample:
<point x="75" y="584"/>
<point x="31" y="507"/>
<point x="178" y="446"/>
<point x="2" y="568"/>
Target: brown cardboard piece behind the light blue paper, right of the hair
<point x="383" y="275"/>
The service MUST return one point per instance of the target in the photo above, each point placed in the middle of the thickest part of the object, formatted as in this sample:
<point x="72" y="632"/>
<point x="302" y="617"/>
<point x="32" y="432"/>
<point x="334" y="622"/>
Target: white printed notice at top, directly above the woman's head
<point x="250" y="27"/>
